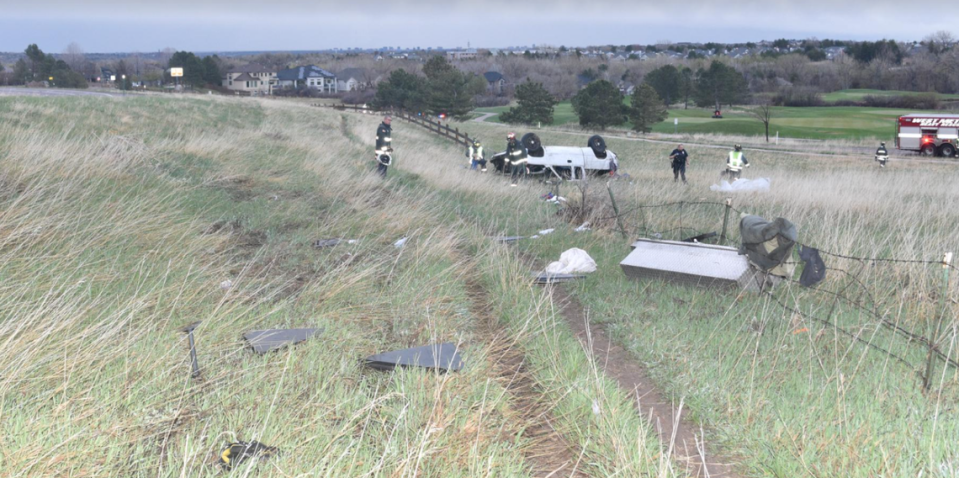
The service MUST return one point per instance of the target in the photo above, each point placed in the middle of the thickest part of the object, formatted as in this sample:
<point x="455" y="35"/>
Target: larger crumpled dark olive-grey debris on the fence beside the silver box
<point x="767" y="244"/>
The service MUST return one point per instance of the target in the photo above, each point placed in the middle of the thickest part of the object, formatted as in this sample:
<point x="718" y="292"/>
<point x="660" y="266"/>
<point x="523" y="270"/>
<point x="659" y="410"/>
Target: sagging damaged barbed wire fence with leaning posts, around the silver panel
<point x="871" y="290"/>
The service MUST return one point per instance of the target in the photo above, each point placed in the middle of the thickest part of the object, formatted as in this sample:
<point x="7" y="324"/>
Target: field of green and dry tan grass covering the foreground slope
<point x="124" y="218"/>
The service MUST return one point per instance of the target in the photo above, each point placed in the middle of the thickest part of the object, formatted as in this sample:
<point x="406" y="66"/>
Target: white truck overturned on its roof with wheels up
<point x="564" y="162"/>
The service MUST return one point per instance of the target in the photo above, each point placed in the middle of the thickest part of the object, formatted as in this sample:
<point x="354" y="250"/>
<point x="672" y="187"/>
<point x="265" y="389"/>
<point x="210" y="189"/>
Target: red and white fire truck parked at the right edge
<point x="929" y="134"/>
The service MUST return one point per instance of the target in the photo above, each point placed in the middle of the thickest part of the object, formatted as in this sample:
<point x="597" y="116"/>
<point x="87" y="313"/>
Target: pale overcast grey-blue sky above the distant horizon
<point x="237" y="25"/>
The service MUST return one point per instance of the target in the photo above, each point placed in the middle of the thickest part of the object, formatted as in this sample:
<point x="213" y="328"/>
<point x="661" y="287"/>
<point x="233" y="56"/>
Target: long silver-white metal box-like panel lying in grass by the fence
<point x="691" y="264"/>
